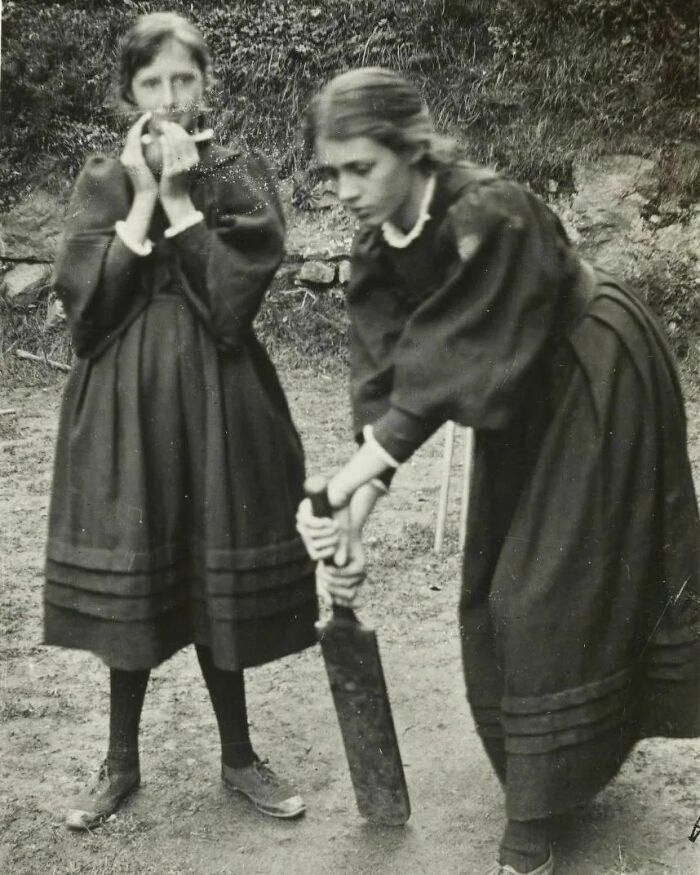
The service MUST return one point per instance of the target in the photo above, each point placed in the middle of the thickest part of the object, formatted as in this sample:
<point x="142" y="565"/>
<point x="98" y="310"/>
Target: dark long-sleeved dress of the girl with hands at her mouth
<point x="178" y="469"/>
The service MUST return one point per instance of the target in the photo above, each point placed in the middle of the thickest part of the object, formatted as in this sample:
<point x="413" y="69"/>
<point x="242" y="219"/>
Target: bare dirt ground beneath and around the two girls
<point x="182" y="822"/>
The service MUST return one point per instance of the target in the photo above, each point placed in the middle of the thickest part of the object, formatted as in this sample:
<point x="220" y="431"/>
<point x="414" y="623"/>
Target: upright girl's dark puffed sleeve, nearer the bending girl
<point x="226" y="263"/>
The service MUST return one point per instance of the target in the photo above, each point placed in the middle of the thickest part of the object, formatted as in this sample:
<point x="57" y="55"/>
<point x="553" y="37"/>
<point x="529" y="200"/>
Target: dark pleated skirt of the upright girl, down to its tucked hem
<point x="177" y="476"/>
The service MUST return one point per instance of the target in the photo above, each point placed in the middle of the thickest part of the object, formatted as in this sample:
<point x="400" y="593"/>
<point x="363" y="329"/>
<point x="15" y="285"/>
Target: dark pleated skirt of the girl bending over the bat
<point x="581" y="592"/>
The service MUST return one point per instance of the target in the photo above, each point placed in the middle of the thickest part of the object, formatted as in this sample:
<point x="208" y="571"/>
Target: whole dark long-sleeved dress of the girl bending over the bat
<point x="580" y="602"/>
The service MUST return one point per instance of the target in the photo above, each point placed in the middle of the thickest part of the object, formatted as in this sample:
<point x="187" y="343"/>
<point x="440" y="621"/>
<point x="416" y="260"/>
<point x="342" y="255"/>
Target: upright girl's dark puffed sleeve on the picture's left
<point x="96" y="275"/>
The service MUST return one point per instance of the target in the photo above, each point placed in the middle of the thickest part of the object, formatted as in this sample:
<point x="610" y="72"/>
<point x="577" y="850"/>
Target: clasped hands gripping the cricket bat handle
<point x="337" y="582"/>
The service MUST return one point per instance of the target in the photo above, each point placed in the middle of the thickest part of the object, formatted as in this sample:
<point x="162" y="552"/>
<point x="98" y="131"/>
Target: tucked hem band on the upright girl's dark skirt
<point x="135" y="610"/>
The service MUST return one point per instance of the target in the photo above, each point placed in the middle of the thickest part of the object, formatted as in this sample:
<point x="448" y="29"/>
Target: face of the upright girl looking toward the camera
<point x="171" y="86"/>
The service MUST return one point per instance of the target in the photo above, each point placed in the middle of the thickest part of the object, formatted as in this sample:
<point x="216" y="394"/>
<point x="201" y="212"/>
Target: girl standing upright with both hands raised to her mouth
<point x="178" y="468"/>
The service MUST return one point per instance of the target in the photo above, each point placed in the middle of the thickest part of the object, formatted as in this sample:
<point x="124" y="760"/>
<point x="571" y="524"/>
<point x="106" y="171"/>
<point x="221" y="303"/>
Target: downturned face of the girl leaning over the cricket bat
<point x="373" y="181"/>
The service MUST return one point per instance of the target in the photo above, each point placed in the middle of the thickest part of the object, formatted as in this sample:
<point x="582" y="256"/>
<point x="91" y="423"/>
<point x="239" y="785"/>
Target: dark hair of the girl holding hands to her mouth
<point x="143" y="41"/>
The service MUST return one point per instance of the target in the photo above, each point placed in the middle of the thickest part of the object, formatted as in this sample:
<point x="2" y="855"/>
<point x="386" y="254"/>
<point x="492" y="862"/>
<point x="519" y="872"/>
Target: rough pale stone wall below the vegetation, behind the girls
<point x="618" y="216"/>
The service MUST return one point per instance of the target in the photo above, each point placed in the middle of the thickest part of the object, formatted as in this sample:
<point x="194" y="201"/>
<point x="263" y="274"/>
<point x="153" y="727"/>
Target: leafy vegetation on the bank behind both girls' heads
<point x="528" y="84"/>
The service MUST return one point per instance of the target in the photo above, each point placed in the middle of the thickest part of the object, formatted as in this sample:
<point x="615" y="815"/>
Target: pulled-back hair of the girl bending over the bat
<point x="380" y="104"/>
